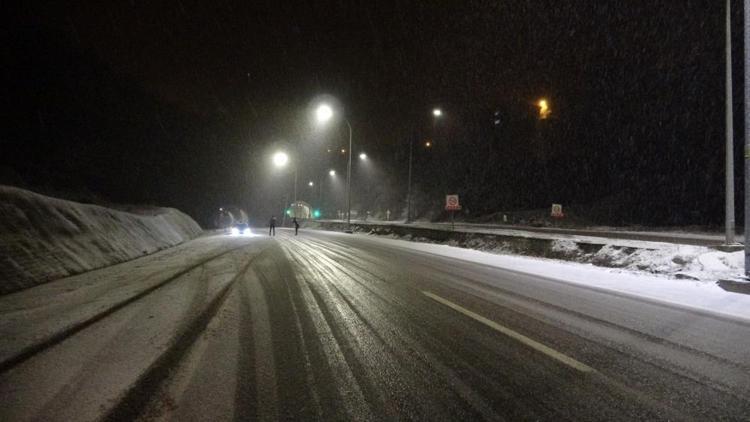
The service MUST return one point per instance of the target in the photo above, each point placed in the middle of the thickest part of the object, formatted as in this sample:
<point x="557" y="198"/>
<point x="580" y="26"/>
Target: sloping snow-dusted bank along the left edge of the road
<point x="43" y="238"/>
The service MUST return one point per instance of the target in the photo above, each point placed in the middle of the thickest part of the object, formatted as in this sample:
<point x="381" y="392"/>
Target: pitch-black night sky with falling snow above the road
<point x="181" y="103"/>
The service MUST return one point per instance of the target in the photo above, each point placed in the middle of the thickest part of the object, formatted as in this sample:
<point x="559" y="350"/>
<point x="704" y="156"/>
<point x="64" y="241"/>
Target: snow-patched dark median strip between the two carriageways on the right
<point x="668" y="259"/>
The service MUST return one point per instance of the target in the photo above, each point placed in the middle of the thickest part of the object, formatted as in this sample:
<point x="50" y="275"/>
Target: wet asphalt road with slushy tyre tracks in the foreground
<point x="328" y="326"/>
